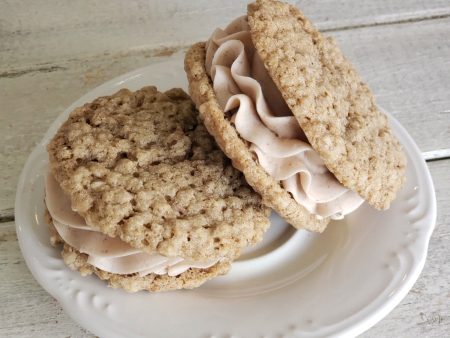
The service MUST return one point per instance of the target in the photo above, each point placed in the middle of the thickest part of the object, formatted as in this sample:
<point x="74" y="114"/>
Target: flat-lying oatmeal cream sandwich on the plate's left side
<point x="140" y="195"/>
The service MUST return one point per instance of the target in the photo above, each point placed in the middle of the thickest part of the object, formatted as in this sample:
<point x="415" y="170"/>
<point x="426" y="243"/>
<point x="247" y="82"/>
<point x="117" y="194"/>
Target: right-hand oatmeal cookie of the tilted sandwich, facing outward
<point x="335" y="109"/>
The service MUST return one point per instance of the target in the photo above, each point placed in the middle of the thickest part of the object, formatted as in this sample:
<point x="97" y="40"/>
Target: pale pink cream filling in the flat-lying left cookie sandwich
<point x="107" y="253"/>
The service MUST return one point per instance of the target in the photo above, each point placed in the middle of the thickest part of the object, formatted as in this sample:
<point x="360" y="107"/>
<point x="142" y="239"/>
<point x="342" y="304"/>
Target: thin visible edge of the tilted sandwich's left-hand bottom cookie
<point x="237" y="149"/>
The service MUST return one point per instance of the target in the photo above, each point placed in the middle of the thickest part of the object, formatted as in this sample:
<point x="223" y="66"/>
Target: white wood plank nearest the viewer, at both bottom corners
<point x="27" y="310"/>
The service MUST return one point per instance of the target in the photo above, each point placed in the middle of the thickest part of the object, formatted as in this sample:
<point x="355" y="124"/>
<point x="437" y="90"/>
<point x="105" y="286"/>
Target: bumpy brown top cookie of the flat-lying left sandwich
<point x="140" y="165"/>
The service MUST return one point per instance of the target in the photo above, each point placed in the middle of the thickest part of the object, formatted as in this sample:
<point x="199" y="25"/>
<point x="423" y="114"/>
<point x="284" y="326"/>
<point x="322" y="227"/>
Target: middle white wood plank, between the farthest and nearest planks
<point x="407" y="66"/>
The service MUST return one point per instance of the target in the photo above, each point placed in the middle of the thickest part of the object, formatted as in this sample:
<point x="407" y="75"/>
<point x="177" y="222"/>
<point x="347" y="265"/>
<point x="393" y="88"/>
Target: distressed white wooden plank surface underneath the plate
<point x="52" y="52"/>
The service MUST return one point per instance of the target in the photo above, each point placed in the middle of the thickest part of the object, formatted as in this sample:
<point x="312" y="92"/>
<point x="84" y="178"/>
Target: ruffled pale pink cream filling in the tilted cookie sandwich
<point x="261" y="116"/>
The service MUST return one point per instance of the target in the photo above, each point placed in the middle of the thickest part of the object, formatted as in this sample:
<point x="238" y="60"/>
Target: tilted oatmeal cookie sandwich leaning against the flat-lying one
<point x="294" y="116"/>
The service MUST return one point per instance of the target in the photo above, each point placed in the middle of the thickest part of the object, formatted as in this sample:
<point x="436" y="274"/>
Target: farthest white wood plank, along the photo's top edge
<point x="49" y="31"/>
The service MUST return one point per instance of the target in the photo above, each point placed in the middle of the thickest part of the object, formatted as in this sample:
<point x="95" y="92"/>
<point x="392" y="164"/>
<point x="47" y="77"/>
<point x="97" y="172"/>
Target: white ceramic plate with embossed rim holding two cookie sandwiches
<point x="339" y="283"/>
